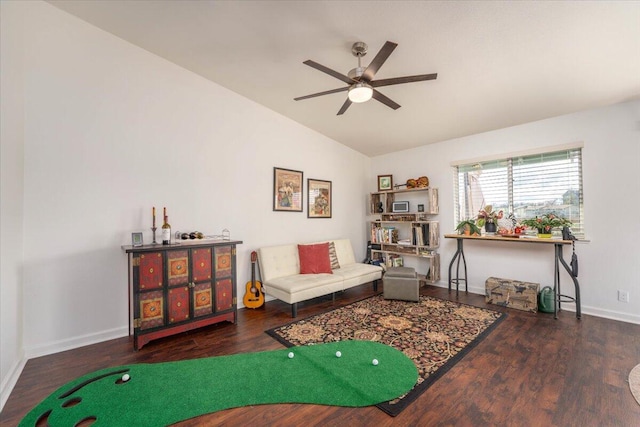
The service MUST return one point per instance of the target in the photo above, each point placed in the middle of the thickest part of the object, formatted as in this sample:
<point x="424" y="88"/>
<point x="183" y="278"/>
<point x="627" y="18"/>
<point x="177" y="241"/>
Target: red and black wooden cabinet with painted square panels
<point x="180" y="287"/>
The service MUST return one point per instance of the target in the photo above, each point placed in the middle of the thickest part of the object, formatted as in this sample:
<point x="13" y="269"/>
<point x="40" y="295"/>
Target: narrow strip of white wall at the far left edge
<point x="11" y="194"/>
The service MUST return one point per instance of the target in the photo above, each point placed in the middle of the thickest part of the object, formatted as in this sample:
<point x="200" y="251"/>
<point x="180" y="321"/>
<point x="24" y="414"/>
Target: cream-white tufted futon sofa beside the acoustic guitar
<point x="281" y="278"/>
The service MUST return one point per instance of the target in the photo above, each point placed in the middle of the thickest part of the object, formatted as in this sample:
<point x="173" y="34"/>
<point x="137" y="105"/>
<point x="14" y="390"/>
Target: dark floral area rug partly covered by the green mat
<point x="434" y="333"/>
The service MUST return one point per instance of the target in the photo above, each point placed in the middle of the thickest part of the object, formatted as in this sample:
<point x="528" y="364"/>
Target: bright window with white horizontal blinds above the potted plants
<point x="523" y="186"/>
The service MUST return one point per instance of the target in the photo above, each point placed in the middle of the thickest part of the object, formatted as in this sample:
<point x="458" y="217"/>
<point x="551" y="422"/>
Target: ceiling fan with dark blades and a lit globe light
<point x="361" y="85"/>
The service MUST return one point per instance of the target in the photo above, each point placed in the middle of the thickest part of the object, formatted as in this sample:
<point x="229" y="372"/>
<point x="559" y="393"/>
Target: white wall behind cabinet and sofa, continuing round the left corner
<point x="111" y="130"/>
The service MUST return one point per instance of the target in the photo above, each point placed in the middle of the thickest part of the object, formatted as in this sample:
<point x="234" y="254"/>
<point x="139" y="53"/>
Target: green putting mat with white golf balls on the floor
<point x="165" y="393"/>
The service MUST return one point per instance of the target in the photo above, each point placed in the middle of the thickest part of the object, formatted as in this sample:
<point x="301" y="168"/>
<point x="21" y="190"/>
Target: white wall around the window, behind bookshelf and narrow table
<point x="611" y="159"/>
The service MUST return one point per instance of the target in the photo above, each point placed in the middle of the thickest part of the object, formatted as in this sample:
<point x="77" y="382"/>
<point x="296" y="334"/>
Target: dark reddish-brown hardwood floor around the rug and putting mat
<point x="531" y="370"/>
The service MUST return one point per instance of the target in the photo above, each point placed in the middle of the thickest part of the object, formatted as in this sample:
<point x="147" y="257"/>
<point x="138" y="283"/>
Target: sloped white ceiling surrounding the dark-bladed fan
<point x="499" y="64"/>
